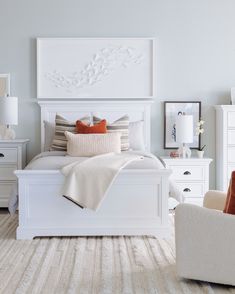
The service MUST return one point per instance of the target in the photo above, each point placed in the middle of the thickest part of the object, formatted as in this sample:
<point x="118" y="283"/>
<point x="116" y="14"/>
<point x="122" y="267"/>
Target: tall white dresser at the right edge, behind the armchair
<point x="225" y="145"/>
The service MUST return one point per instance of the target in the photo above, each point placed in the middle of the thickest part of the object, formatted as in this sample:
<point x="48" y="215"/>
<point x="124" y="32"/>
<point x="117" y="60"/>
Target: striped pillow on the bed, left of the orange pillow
<point x="59" y="142"/>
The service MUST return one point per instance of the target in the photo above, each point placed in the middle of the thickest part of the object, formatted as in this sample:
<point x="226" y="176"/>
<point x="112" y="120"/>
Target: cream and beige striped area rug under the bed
<point x="91" y="265"/>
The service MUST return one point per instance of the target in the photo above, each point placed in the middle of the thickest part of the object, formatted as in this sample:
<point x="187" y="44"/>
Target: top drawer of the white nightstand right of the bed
<point x="182" y="173"/>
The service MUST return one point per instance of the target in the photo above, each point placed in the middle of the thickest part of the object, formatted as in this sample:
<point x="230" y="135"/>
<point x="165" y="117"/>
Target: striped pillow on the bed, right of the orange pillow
<point x="119" y="126"/>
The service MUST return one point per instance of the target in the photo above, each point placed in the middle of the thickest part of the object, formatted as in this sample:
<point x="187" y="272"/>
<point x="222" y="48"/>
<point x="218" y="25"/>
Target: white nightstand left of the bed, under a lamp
<point x="12" y="157"/>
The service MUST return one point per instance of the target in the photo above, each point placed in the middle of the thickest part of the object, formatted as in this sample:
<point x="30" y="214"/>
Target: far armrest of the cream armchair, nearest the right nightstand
<point x="215" y="200"/>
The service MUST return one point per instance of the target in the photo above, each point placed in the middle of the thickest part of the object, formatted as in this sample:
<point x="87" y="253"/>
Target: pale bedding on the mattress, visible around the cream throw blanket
<point x="55" y="160"/>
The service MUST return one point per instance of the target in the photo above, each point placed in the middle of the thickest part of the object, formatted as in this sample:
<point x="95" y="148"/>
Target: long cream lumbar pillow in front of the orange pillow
<point x="92" y="144"/>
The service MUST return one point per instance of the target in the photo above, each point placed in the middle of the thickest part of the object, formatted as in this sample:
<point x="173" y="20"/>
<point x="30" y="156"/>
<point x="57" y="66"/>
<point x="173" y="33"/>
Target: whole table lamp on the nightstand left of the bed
<point x="9" y="115"/>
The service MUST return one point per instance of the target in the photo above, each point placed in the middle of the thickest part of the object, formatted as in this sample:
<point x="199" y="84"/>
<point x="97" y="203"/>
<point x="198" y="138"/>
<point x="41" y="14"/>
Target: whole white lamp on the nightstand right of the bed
<point x="184" y="134"/>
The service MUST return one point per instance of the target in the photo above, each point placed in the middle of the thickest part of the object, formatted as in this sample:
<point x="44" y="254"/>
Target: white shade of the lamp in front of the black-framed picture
<point x="184" y="129"/>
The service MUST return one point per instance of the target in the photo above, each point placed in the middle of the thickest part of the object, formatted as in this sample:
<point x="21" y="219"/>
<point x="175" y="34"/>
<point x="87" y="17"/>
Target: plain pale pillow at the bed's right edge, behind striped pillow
<point x="136" y="135"/>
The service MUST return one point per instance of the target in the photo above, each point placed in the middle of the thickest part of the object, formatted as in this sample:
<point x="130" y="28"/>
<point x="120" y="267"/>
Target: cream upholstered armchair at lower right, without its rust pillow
<point x="205" y="241"/>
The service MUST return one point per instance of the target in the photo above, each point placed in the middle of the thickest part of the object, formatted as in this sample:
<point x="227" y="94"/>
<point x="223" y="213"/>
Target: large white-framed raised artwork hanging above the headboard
<point x="96" y="68"/>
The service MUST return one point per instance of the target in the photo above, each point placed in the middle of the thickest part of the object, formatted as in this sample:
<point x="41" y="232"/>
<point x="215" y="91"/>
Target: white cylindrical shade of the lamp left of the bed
<point x="9" y="110"/>
